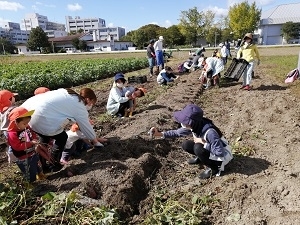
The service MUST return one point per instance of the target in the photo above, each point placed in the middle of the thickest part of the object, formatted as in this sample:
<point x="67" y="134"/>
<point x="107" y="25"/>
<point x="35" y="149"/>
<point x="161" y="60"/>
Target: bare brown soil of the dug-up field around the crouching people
<point x="260" y="186"/>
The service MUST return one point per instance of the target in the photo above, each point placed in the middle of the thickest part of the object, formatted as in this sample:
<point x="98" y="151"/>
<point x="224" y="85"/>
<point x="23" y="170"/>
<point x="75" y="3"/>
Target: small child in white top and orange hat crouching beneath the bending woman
<point x="72" y="145"/>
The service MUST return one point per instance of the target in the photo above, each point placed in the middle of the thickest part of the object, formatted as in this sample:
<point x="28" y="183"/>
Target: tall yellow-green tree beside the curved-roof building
<point x="243" y="18"/>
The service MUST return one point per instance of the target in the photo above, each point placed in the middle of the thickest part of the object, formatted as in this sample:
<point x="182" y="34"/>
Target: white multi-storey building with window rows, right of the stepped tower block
<point x="73" y="25"/>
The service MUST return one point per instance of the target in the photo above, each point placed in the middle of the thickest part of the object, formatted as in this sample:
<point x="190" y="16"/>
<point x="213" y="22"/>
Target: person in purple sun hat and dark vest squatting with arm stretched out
<point x="209" y="146"/>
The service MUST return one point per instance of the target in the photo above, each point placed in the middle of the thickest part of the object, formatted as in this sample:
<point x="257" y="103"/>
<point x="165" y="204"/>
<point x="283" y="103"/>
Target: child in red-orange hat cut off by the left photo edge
<point x="7" y="99"/>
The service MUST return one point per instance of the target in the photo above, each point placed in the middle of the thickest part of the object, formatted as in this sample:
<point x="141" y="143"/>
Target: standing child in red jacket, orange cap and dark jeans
<point x="22" y="141"/>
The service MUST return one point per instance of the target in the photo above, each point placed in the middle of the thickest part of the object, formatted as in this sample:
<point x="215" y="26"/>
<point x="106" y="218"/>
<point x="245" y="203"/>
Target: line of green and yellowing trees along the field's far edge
<point x="194" y="25"/>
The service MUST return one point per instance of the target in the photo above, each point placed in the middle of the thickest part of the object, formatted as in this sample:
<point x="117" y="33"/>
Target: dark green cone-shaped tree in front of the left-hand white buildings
<point x="38" y="39"/>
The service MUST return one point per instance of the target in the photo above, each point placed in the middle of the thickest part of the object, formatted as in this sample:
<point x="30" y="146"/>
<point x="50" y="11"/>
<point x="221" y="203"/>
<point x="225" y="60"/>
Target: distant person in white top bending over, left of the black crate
<point x="212" y="66"/>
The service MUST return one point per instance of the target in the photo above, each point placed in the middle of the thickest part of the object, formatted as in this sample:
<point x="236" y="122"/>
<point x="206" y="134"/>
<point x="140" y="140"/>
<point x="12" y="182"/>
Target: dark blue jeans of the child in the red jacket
<point x="30" y="167"/>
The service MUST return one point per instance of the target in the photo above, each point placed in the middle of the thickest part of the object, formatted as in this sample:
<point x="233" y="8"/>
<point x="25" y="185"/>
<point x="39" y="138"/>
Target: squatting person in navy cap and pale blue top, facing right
<point x="118" y="103"/>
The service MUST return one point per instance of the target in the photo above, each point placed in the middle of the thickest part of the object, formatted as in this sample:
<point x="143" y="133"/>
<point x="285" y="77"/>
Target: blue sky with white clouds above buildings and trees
<point x="130" y="14"/>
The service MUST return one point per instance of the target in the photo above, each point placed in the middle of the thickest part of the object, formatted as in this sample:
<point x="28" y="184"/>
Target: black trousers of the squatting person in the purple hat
<point x="198" y="150"/>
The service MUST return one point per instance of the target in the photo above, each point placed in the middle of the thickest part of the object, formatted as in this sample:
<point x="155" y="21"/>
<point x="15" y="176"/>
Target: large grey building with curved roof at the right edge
<point x="269" y="31"/>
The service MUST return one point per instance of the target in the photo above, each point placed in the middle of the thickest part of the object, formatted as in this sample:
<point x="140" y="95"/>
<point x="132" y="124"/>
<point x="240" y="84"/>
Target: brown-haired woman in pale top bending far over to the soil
<point x="54" y="110"/>
